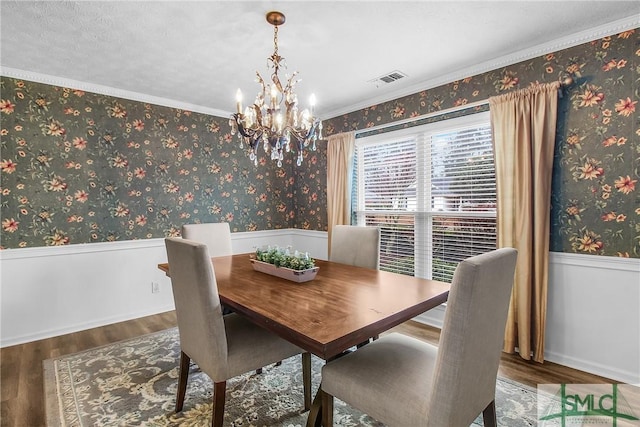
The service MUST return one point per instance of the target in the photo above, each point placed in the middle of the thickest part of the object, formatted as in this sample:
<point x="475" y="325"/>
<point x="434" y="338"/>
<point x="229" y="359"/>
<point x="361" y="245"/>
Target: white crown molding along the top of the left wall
<point x="109" y="91"/>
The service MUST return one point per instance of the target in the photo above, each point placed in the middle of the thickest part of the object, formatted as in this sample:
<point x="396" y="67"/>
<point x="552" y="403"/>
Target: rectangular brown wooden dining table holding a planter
<point x="339" y="309"/>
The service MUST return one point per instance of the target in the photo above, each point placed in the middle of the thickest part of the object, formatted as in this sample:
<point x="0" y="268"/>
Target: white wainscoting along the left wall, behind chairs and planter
<point x="50" y="291"/>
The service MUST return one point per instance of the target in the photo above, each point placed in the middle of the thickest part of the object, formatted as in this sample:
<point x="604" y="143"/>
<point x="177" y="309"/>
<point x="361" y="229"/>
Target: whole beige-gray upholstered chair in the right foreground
<point x="402" y="381"/>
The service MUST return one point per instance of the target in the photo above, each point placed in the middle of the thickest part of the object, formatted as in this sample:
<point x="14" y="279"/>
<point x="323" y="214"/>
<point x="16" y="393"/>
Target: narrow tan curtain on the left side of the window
<point x="340" y="149"/>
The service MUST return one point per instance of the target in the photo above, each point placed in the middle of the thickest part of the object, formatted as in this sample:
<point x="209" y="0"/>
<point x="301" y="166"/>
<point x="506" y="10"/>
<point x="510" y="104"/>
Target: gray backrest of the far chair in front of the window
<point x="354" y="245"/>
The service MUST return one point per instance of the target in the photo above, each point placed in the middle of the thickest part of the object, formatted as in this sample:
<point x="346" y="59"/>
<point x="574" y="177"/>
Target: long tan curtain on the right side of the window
<point x="524" y="124"/>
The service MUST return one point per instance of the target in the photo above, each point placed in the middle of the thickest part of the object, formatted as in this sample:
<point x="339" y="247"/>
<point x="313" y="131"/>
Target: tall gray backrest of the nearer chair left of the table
<point x="195" y="292"/>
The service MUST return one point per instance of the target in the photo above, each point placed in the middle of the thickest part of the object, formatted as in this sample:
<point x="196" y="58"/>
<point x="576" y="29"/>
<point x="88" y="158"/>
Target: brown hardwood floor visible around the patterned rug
<point x="22" y="394"/>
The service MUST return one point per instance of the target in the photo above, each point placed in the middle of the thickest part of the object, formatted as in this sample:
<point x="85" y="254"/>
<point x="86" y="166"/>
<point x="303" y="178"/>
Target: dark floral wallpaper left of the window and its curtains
<point x="78" y="167"/>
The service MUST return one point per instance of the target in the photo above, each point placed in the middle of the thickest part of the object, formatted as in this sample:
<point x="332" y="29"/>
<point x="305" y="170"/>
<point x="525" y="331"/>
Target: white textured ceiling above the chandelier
<point x="197" y="54"/>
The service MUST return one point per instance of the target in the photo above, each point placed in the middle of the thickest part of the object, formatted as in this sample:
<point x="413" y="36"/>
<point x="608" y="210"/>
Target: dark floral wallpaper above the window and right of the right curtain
<point x="596" y="194"/>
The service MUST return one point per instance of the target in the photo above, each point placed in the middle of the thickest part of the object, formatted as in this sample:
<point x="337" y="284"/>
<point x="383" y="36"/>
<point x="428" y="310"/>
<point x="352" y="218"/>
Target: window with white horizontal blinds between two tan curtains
<point x="431" y="190"/>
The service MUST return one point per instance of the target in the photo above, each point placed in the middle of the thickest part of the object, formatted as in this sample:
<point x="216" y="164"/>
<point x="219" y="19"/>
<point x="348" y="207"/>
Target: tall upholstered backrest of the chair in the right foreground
<point x="471" y="338"/>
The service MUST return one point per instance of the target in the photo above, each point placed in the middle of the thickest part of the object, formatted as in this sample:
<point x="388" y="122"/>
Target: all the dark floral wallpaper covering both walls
<point x="78" y="167"/>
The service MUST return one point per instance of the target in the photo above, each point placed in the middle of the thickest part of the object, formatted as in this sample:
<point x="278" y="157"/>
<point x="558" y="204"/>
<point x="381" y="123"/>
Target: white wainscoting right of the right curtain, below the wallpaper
<point x="593" y="315"/>
